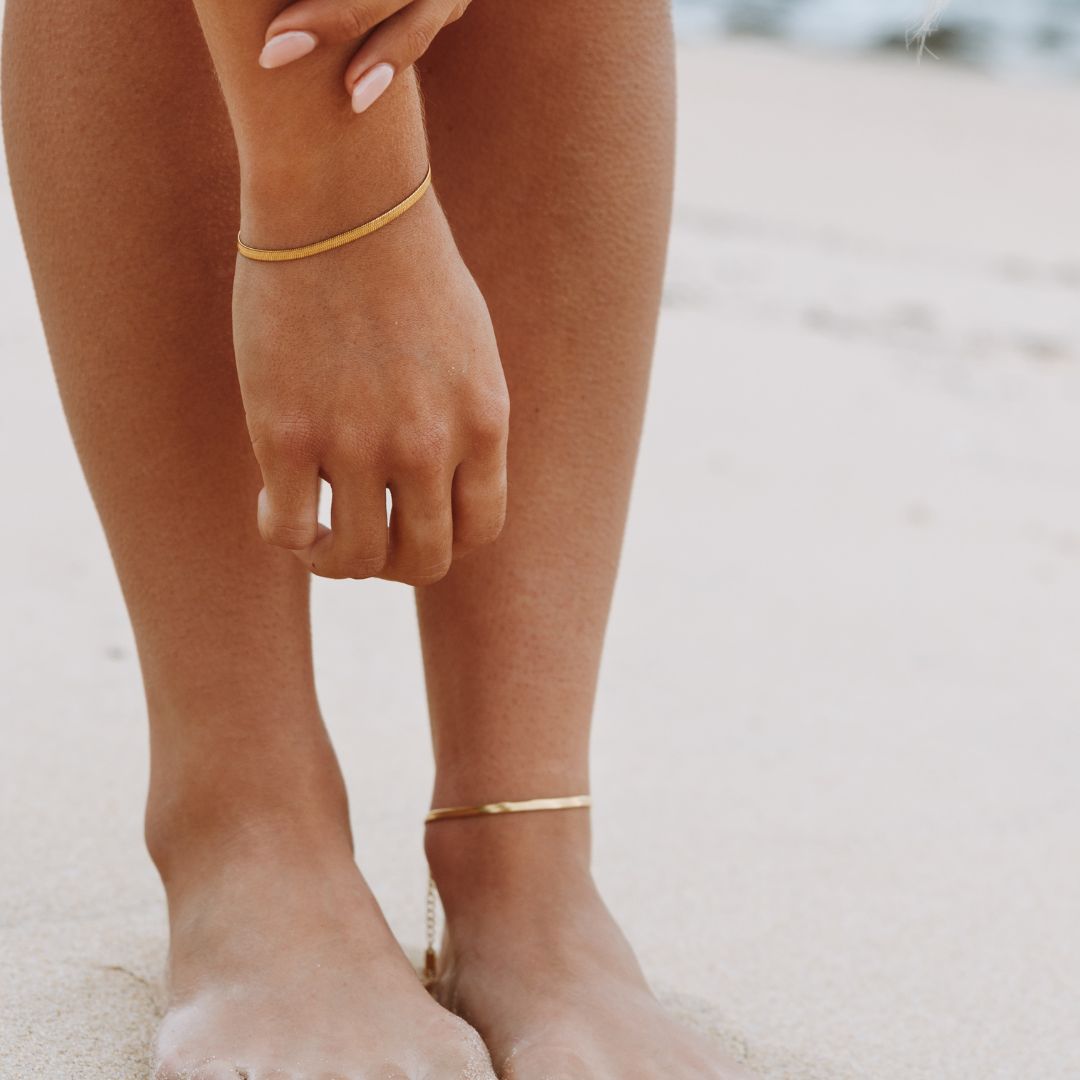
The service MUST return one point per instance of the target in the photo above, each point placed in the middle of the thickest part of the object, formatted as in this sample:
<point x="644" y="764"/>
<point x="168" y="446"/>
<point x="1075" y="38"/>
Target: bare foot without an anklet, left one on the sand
<point x="282" y="968"/>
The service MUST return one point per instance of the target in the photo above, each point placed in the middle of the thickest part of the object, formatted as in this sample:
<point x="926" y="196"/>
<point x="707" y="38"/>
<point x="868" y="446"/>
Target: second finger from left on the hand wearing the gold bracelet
<point x="356" y="544"/>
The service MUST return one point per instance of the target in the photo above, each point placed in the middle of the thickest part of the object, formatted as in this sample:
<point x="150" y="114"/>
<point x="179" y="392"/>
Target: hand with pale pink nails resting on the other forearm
<point x="396" y="34"/>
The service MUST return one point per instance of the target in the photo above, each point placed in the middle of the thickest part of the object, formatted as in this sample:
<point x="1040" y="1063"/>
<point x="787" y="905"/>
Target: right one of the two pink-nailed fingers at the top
<point x="394" y="46"/>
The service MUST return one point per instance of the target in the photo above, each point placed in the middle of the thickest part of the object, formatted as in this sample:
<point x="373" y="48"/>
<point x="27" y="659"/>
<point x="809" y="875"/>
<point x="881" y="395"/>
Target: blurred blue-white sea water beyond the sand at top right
<point x="1031" y="36"/>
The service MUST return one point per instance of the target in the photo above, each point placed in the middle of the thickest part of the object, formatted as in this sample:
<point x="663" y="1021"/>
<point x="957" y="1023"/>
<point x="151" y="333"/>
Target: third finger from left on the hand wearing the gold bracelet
<point x="422" y="533"/>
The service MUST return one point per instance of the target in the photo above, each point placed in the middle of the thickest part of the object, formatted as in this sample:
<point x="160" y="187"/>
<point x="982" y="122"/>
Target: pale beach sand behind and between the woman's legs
<point x="838" y="736"/>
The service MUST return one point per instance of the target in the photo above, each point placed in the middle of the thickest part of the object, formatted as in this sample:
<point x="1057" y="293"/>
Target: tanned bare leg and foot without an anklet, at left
<point x="124" y="169"/>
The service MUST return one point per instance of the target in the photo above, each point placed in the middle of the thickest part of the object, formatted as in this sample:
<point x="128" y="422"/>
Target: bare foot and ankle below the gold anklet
<point x="534" y="961"/>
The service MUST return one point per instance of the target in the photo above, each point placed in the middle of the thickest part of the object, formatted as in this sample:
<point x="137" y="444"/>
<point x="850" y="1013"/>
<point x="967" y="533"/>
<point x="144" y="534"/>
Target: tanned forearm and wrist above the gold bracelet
<point x="309" y="166"/>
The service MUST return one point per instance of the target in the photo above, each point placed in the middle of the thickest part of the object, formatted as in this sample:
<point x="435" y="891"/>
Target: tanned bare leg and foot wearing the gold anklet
<point x="551" y="128"/>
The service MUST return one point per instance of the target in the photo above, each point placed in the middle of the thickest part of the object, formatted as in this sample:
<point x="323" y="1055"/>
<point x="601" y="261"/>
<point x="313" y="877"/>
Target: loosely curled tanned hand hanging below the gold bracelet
<point x="375" y="367"/>
